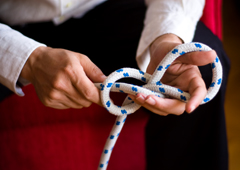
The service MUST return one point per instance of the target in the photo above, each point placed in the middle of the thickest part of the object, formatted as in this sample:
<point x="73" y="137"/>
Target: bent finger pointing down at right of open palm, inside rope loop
<point x="198" y="91"/>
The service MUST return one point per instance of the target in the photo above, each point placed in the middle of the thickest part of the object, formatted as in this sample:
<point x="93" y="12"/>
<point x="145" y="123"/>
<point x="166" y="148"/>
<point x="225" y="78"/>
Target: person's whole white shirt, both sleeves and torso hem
<point x="163" y="16"/>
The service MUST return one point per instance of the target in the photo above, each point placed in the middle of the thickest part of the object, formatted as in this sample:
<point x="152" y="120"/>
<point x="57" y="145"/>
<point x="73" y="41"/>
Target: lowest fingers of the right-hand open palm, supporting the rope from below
<point x="161" y="106"/>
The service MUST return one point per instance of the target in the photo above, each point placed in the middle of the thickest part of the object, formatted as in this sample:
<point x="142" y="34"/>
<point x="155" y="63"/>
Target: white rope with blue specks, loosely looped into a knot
<point x="153" y="86"/>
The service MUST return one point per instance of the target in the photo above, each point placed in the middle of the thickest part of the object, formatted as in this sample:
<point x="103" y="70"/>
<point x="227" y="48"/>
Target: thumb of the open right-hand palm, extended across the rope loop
<point x="199" y="58"/>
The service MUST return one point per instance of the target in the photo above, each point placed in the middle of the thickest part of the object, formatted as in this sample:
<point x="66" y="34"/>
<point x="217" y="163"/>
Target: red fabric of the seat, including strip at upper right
<point x="40" y="138"/>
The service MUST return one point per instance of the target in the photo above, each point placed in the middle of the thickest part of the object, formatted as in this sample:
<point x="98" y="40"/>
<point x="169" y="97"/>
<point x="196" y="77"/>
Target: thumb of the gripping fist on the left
<point x="92" y="71"/>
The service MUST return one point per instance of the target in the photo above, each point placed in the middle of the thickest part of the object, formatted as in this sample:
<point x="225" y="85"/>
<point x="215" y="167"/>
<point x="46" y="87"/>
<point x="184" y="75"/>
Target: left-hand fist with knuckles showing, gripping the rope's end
<point x="63" y="79"/>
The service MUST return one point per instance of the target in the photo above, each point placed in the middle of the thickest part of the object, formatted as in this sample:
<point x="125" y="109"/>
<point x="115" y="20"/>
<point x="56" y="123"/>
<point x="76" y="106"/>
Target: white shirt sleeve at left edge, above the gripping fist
<point x="15" y="49"/>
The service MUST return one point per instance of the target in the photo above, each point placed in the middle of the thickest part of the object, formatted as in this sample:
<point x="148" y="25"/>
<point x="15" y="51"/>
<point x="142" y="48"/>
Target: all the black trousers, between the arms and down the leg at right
<point x="109" y="36"/>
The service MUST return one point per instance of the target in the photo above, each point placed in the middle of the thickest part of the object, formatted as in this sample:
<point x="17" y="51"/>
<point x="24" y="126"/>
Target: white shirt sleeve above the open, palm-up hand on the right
<point x="178" y="17"/>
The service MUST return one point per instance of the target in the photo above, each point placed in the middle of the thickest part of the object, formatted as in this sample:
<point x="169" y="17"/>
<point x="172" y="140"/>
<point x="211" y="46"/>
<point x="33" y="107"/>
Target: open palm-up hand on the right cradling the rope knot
<point x="183" y="74"/>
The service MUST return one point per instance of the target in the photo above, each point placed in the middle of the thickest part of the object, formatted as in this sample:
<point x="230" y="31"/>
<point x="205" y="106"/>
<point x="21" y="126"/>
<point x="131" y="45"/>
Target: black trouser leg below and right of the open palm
<point x="192" y="141"/>
